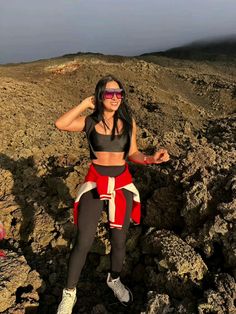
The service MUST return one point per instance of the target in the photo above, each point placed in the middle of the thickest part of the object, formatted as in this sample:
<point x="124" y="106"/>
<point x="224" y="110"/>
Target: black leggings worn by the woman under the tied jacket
<point x="89" y="212"/>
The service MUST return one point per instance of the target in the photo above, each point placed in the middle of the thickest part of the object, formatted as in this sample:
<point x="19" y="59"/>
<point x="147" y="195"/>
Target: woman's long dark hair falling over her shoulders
<point x="123" y="112"/>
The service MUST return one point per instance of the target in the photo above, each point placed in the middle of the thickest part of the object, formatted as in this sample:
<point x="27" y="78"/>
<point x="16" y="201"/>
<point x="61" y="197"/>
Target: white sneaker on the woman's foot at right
<point x="122" y="293"/>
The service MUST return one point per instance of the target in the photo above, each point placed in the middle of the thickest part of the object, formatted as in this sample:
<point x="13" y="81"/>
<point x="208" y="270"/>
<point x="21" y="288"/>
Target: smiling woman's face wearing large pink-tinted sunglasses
<point x="113" y="103"/>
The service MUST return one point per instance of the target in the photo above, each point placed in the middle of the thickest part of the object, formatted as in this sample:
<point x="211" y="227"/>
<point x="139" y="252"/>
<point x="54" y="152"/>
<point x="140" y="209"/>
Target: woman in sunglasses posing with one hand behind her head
<point x="111" y="134"/>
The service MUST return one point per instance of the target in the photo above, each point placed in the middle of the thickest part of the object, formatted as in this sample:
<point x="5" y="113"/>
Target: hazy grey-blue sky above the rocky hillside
<point x="34" y="29"/>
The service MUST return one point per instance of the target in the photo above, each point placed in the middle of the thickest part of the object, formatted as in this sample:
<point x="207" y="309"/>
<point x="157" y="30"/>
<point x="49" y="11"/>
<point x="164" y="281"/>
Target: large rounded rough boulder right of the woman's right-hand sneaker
<point x="180" y="269"/>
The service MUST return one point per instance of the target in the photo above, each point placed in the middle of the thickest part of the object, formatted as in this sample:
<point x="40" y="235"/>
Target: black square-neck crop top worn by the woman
<point x="102" y="142"/>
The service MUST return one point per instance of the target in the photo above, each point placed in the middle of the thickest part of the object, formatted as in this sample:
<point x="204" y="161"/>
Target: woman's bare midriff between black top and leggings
<point x="109" y="158"/>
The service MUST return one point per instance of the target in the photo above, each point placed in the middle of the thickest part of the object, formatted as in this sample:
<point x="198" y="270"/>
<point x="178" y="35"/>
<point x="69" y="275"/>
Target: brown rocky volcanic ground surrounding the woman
<point x="182" y="258"/>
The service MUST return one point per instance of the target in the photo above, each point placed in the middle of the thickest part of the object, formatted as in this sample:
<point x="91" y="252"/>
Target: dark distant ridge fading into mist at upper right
<point x="207" y="49"/>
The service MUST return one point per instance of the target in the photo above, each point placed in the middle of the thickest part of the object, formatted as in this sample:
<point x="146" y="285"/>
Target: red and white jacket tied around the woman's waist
<point x="110" y="188"/>
